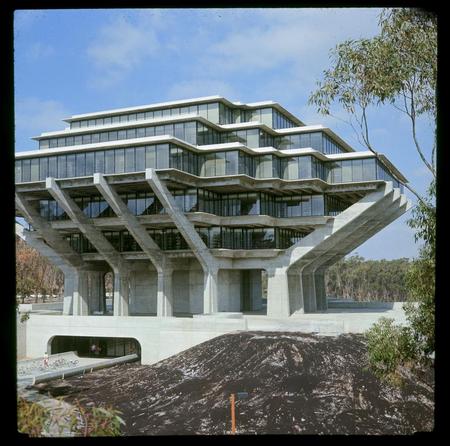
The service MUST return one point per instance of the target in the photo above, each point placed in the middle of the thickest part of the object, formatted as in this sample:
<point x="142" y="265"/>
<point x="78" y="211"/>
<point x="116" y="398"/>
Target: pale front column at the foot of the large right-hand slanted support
<point x="278" y="293"/>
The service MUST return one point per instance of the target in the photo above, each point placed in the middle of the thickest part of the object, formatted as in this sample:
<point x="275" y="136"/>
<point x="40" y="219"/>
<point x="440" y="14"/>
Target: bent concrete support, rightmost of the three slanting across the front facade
<point x="209" y="263"/>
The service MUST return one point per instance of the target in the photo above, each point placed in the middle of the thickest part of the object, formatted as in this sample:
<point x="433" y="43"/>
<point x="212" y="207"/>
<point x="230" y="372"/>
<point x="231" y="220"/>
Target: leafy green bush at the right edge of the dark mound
<point x="390" y="347"/>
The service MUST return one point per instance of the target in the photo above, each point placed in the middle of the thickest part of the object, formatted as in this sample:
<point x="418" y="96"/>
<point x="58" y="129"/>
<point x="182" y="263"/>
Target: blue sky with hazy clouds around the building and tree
<point x="78" y="61"/>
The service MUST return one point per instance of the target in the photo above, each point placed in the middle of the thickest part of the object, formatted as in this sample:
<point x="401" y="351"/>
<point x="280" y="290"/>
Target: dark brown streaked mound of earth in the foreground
<point x="297" y="384"/>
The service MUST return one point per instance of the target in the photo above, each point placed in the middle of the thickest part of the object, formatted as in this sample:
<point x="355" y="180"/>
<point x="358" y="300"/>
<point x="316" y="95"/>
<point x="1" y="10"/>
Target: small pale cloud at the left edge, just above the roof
<point x="34" y="116"/>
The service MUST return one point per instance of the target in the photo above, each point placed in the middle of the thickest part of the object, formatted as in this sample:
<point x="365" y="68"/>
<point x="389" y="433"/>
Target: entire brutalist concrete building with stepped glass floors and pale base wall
<point x="186" y="203"/>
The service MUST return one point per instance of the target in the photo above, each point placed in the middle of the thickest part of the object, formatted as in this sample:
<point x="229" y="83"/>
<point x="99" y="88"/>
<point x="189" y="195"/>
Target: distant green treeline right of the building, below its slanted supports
<point x="365" y="280"/>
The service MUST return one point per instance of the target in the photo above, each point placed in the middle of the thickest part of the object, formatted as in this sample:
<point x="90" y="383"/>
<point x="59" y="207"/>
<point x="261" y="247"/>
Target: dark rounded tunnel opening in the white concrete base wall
<point x="95" y="347"/>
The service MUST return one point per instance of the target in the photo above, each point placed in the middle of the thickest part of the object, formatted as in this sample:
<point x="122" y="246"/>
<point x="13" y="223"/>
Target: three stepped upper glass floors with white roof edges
<point x="205" y="137"/>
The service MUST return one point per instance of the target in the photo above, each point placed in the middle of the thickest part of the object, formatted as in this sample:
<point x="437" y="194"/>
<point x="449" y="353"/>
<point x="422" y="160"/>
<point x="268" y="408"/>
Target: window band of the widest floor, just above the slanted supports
<point x="233" y="162"/>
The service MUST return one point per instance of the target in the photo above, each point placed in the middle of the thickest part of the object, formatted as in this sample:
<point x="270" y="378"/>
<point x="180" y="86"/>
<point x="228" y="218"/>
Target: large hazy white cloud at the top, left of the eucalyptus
<point x="299" y="37"/>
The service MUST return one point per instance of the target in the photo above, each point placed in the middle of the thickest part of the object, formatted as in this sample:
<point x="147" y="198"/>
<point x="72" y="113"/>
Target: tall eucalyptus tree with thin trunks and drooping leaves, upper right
<point x="396" y="67"/>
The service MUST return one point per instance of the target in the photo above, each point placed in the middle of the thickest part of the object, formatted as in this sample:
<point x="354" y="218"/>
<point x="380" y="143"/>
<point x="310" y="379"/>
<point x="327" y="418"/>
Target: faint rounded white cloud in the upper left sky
<point x="121" y="46"/>
